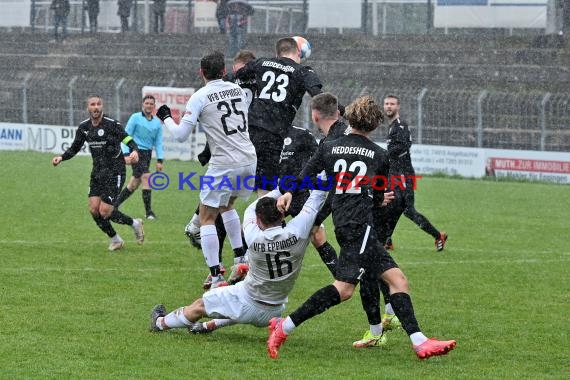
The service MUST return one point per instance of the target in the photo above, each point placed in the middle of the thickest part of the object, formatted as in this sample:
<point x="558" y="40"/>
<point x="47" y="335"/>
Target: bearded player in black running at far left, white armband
<point x="104" y="136"/>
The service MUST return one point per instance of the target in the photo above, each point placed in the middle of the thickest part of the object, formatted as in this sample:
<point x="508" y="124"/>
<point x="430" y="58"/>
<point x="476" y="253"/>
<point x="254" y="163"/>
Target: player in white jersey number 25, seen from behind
<point x="222" y="110"/>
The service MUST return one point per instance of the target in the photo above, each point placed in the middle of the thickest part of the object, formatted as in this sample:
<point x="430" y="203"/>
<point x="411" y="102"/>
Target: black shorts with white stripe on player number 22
<point x="360" y="252"/>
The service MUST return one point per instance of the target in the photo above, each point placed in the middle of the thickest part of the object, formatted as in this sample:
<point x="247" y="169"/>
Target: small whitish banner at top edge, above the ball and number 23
<point x="335" y="14"/>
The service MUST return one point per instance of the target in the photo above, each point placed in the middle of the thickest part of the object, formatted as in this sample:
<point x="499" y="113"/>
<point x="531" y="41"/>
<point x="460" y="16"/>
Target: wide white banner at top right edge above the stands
<point x="490" y="13"/>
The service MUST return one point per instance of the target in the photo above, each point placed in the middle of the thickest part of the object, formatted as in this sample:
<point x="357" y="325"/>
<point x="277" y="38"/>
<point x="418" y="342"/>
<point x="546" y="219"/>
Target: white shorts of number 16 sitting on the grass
<point x="234" y="303"/>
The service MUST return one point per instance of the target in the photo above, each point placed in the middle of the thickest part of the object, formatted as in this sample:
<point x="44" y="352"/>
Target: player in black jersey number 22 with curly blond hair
<point x="355" y="162"/>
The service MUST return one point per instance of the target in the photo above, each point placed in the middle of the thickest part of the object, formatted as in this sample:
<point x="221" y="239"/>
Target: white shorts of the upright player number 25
<point x="218" y="185"/>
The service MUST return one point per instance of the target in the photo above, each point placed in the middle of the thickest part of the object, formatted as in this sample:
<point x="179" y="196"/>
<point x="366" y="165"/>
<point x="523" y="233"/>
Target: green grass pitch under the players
<point x="71" y="309"/>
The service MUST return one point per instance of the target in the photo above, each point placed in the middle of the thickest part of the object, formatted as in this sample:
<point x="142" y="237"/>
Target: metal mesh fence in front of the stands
<point x="489" y="119"/>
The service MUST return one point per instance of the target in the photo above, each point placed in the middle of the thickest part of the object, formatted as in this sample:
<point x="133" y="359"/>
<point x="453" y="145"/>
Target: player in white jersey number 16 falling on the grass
<point x="276" y="253"/>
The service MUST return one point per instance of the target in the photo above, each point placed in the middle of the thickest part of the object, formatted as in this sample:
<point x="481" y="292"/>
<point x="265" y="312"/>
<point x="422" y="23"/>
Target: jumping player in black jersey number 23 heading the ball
<point x="282" y="82"/>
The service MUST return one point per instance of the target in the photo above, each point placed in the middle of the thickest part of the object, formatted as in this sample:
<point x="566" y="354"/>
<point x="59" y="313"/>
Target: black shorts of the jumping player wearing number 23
<point x="268" y="147"/>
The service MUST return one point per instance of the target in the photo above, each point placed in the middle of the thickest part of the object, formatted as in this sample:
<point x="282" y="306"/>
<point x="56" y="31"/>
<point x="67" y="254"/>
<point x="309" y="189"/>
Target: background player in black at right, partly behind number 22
<point x="399" y="144"/>
